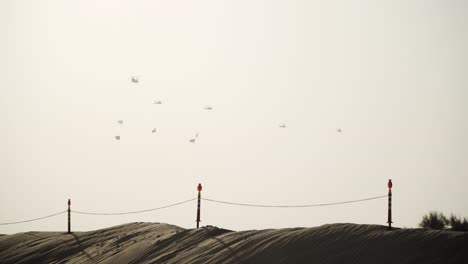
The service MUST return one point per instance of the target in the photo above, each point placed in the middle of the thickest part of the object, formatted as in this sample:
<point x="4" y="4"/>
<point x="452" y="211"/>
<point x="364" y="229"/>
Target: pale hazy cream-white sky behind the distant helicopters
<point x="392" y="74"/>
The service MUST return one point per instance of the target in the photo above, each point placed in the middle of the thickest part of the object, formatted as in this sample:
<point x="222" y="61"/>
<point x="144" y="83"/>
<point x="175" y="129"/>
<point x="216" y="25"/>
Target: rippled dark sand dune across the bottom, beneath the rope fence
<point x="163" y="243"/>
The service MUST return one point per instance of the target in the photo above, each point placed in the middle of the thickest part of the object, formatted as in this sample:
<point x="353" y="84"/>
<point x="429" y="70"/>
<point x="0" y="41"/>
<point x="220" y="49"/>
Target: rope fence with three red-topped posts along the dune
<point x="199" y="188"/>
